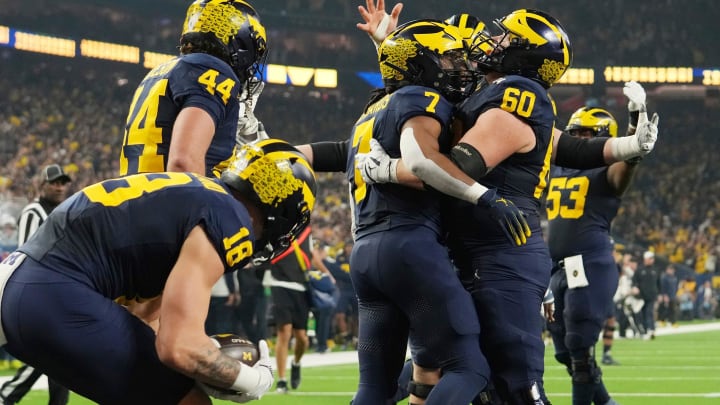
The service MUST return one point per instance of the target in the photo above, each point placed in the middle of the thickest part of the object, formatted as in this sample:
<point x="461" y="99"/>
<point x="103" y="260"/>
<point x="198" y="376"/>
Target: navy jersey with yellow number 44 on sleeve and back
<point x="194" y="80"/>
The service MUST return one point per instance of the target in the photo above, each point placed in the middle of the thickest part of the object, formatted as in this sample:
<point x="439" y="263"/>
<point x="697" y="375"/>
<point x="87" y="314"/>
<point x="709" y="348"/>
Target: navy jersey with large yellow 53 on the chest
<point x="581" y="205"/>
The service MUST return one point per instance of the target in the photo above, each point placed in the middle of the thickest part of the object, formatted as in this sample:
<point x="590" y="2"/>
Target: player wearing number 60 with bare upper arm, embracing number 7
<point x="507" y="126"/>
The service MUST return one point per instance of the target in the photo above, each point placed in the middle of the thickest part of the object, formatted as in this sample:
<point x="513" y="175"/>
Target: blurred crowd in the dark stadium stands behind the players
<point x="72" y="112"/>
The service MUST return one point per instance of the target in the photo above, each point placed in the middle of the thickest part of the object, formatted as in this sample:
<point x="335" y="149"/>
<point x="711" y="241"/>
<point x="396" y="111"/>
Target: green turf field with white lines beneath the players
<point x="672" y="369"/>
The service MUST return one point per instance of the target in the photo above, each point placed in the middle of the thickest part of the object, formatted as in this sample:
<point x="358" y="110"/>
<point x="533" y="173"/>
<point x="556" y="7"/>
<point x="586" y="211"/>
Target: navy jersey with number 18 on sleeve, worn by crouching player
<point x="123" y="236"/>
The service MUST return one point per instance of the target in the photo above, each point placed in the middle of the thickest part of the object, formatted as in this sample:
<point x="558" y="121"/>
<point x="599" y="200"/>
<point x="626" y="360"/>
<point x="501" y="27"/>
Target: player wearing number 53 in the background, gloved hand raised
<point x="581" y="205"/>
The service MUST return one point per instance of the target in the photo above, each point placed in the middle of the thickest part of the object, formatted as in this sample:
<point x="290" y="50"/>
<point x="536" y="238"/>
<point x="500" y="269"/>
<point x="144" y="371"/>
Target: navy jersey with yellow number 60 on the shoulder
<point x="522" y="177"/>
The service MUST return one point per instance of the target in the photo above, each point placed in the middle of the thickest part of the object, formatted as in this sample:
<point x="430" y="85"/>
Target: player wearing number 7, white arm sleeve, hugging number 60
<point x="397" y="229"/>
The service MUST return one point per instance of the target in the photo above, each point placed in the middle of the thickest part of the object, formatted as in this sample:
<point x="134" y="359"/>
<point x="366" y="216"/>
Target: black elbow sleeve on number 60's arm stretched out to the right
<point x="577" y="153"/>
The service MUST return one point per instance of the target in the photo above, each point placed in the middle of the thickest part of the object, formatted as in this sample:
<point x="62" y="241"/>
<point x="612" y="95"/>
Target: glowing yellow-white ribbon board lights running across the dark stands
<point x="328" y="78"/>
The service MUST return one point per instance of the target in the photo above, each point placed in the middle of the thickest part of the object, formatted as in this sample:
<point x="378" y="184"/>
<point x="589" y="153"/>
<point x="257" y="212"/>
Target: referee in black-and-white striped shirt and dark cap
<point x="53" y="191"/>
